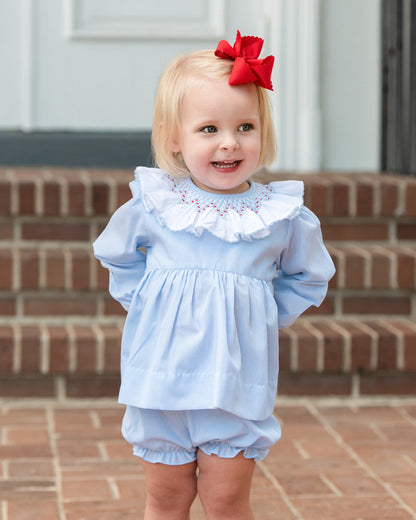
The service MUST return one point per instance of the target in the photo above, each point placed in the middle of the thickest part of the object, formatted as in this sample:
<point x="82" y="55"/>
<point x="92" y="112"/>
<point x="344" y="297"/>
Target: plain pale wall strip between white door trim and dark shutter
<point x="351" y="84"/>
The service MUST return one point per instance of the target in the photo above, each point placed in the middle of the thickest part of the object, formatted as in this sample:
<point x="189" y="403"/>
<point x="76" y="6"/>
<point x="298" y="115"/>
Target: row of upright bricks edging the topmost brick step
<point x="89" y="192"/>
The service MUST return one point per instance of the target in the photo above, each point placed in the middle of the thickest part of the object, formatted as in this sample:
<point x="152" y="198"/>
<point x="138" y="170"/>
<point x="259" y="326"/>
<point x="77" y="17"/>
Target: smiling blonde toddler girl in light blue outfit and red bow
<point x="227" y="262"/>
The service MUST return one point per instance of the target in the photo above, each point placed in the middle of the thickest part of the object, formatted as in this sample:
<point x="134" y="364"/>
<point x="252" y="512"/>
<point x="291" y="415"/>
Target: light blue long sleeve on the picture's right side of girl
<point x="305" y="268"/>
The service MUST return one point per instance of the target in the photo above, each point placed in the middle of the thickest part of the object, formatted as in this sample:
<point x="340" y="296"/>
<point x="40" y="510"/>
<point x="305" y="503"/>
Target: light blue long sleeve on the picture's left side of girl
<point x="117" y="250"/>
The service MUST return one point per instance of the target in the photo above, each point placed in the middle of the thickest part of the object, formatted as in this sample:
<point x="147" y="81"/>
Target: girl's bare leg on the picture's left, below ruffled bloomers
<point x="170" y="490"/>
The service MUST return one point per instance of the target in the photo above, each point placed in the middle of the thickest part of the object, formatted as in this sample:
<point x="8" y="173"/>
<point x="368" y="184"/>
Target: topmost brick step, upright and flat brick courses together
<point x="59" y="205"/>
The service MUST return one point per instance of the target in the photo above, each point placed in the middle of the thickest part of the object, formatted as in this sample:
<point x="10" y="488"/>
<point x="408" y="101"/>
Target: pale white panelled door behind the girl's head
<point x="93" y="65"/>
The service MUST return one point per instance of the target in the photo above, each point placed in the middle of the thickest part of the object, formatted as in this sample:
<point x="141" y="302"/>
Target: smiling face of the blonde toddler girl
<point x="219" y="135"/>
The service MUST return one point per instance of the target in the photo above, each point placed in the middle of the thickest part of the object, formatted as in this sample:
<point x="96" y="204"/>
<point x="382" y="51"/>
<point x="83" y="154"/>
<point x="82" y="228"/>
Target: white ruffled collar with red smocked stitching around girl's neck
<point x="181" y="206"/>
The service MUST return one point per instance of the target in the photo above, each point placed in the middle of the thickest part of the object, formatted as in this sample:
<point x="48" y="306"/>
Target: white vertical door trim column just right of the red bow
<point x="294" y="27"/>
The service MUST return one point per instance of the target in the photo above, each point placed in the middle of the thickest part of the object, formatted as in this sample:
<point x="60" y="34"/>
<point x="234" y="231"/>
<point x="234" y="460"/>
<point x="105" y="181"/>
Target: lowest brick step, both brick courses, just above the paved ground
<point x="317" y="357"/>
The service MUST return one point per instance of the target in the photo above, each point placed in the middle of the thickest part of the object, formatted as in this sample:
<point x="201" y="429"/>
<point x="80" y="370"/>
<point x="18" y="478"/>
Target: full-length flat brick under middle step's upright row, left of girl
<point x="58" y="306"/>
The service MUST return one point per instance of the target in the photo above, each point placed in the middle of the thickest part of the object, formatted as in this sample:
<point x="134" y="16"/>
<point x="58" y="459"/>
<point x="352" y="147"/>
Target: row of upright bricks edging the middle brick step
<point x="72" y="267"/>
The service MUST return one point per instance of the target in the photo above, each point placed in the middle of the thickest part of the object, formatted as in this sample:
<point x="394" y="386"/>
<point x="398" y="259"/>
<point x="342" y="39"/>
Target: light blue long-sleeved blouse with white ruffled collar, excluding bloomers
<point x="221" y="274"/>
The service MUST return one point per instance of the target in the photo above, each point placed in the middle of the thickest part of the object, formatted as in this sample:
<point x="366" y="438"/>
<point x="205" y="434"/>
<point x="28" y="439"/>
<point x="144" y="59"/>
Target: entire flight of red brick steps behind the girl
<point x="60" y="330"/>
